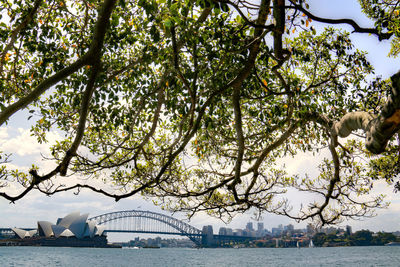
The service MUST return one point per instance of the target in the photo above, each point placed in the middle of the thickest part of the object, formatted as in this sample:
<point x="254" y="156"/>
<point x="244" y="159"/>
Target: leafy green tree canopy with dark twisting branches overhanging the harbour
<point x="194" y="101"/>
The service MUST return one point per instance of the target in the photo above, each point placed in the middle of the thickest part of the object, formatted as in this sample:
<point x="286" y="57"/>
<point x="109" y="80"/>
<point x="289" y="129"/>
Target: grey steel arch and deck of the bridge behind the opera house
<point x="181" y="227"/>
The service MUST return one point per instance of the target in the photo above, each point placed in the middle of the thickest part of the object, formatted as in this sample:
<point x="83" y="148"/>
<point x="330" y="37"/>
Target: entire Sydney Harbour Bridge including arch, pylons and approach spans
<point x="148" y="222"/>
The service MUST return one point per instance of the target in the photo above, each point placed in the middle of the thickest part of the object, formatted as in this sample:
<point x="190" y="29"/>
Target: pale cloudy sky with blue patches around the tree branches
<point x="15" y="138"/>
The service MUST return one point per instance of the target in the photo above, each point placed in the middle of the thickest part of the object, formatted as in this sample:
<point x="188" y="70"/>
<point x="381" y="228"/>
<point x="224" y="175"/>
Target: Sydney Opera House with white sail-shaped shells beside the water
<point x="74" y="230"/>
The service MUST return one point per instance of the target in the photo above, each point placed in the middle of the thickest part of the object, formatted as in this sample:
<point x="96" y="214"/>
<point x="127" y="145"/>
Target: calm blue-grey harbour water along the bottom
<point x="344" y="256"/>
